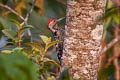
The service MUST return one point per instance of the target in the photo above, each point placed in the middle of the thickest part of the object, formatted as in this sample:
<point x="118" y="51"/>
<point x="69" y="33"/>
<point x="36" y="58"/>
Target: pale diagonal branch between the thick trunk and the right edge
<point x="108" y="46"/>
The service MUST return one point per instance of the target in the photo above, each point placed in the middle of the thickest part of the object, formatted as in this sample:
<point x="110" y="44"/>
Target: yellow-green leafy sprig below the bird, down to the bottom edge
<point x="38" y="55"/>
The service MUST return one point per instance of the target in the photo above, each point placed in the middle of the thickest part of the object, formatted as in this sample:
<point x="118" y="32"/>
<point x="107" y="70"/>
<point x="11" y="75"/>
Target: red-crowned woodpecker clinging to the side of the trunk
<point x="57" y="34"/>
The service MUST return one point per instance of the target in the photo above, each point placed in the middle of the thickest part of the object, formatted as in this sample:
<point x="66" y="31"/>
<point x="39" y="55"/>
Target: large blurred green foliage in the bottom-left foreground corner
<point x="16" y="66"/>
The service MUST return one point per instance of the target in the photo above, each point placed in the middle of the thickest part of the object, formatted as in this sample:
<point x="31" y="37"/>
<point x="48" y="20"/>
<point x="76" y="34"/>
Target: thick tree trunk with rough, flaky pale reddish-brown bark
<point x="82" y="38"/>
